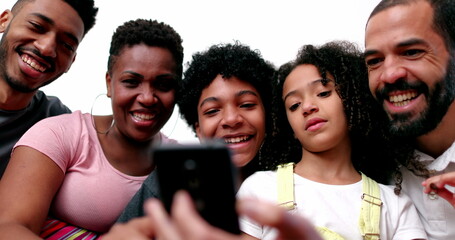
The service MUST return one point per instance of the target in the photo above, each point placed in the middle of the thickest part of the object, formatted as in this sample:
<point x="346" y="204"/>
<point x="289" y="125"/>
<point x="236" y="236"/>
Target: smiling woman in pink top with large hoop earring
<point x="83" y="169"/>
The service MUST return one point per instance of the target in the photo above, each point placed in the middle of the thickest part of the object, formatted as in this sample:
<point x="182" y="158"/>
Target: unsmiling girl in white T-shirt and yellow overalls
<point x="324" y="96"/>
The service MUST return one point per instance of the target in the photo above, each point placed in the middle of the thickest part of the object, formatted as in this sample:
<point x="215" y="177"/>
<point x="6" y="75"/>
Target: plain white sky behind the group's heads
<point x="276" y="28"/>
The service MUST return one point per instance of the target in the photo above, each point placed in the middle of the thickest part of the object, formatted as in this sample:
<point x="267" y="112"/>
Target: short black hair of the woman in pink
<point x="150" y="33"/>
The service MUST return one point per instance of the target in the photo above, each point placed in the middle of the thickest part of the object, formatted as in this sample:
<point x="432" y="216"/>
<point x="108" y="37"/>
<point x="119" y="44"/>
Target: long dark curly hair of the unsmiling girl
<point x="373" y="152"/>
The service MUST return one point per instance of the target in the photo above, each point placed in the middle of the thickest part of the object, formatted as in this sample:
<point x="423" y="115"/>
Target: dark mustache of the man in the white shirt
<point x="402" y="85"/>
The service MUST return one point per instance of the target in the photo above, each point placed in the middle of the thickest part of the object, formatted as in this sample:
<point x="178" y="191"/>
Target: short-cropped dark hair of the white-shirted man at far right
<point x="443" y="17"/>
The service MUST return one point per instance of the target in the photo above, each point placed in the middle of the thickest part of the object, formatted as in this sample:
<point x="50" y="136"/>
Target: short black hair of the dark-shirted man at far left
<point x="85" y="8"/>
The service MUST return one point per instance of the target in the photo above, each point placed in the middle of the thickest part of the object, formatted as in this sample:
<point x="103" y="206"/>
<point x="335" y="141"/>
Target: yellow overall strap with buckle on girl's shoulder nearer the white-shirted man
<point x="370" y="212"/>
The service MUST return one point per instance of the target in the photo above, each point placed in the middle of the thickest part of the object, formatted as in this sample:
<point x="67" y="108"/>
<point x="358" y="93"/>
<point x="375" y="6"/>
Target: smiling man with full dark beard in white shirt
<point x="410" y="50"/>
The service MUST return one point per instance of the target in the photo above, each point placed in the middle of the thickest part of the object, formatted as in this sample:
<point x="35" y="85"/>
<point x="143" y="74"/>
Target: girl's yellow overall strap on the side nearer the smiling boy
<point x="285" y="185"/>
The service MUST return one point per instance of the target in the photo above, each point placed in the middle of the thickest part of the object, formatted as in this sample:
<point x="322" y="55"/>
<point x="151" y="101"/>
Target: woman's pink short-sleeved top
<point x="93" y="193"/>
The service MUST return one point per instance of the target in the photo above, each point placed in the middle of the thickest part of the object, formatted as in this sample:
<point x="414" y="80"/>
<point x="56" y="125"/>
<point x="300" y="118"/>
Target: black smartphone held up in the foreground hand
<point x="206" y="172"/>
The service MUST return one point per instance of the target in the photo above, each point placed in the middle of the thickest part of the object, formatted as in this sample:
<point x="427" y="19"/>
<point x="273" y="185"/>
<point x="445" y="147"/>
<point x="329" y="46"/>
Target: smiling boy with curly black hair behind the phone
<point x="225" y="94"/>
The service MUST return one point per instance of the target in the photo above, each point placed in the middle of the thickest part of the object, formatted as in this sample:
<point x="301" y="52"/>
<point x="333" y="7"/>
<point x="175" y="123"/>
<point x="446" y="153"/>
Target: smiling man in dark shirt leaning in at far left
<point x="38" y="45"/>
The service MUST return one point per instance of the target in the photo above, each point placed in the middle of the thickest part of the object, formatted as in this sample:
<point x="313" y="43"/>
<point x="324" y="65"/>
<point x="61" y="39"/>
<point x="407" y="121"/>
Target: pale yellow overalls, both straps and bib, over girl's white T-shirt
<point x="370" y="212"/>
